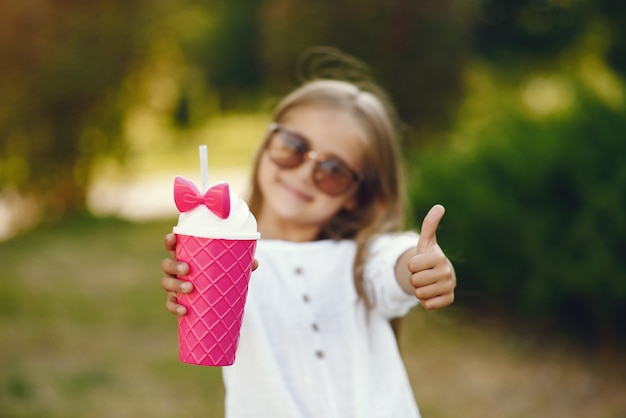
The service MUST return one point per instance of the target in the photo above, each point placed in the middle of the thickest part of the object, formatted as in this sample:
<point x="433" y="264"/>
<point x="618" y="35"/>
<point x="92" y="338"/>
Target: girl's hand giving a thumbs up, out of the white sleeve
<point x="425" y="271"/>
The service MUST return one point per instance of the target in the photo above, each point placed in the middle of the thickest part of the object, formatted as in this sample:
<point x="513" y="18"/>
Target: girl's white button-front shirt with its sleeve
<point x="308" y="348"/>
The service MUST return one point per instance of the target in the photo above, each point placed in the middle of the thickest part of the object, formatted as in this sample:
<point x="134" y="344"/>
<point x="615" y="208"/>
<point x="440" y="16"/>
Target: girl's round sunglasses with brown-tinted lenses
<point x="289" y="150"/>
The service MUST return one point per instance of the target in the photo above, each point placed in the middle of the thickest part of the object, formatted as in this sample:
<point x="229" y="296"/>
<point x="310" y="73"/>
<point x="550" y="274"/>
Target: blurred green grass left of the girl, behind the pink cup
<point x="83" y="330"/>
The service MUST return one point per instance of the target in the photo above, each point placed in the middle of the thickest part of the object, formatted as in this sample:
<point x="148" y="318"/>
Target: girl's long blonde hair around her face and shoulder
<point x="381" y="192"/>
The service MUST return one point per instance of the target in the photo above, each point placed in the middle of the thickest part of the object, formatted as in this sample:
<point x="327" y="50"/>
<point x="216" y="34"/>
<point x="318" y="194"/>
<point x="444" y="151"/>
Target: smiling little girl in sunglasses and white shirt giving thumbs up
<point x="333" y="266"/>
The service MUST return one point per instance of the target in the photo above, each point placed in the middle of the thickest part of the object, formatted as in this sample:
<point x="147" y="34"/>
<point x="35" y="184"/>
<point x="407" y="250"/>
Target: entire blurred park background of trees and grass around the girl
<point x="515" y="117"/>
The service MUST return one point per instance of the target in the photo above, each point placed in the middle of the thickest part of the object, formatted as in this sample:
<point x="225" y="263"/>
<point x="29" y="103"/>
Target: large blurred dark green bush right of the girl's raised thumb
<point x="536" y="222"/>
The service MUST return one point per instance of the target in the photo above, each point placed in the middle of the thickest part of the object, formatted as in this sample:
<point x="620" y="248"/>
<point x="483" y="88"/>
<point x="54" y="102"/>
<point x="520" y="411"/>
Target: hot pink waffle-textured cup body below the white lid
<point x="219" y="269"/>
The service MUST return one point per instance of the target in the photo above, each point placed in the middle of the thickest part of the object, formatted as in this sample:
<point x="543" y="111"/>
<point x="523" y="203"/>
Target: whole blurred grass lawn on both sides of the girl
<point x="83" y="332"/>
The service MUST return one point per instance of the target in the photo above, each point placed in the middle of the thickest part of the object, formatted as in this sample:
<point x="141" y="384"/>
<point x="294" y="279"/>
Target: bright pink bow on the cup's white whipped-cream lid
<point x="188" y="197"/>
